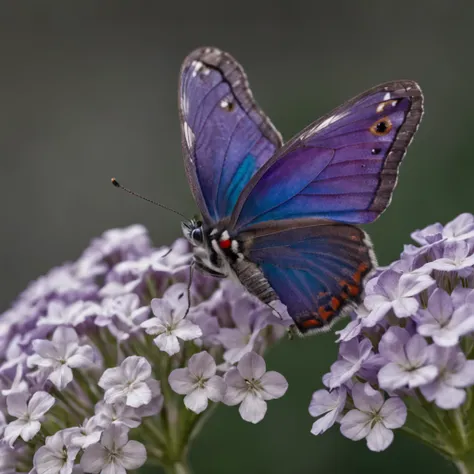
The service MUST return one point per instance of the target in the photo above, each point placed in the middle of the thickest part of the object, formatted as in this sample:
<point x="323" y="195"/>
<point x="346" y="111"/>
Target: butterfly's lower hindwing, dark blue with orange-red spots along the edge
<point x="316" y="267"/>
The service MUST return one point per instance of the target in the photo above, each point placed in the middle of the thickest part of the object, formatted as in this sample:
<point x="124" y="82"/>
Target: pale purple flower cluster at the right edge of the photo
<point x="405" y="359"/>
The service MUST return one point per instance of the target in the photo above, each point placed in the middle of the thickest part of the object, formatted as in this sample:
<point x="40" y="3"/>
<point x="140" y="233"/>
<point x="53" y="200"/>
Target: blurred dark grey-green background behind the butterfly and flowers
<point x="88" y="91"/>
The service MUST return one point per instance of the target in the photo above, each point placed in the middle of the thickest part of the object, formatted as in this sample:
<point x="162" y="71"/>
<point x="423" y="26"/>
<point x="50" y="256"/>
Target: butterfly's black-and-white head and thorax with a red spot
<point x="214" y="249"/>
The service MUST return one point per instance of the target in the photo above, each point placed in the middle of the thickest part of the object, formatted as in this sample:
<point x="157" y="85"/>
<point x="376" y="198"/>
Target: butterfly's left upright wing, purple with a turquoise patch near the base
<point x="226" y="136"/>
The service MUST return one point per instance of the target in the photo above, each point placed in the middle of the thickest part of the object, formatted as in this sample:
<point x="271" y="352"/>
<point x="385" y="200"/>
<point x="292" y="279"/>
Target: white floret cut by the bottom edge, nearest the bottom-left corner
<point x="57" y="455"/>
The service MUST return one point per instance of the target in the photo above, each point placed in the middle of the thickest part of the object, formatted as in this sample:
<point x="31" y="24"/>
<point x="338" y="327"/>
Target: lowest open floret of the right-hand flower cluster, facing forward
<point x="373" y="417"/>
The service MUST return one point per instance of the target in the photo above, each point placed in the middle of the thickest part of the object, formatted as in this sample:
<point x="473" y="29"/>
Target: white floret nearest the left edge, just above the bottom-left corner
<point x="28" y="415"/>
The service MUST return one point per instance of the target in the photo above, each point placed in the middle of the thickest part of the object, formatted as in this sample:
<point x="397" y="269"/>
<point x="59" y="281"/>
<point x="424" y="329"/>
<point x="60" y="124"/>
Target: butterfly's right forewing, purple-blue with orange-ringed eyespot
<point x="343" y="167"/>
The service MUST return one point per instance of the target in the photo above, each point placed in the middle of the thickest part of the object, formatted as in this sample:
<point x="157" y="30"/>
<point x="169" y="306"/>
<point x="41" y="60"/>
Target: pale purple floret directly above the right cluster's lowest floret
<point x="408" y="360"/>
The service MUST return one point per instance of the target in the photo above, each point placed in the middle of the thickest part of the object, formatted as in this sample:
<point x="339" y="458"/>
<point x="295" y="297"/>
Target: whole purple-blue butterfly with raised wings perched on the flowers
<point x="280" y="218"/>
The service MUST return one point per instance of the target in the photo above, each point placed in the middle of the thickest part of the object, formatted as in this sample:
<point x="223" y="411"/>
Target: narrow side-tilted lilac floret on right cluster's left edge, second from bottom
<point x="353" y="354"/>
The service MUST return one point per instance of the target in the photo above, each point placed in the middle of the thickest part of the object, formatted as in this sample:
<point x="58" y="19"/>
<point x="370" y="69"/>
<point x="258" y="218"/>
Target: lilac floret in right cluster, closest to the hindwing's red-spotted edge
<point x="395" y="291"/>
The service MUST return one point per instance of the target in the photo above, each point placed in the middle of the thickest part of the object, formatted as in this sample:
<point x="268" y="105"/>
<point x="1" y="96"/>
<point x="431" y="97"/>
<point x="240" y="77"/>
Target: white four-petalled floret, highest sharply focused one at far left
<point x="60" y="355"/>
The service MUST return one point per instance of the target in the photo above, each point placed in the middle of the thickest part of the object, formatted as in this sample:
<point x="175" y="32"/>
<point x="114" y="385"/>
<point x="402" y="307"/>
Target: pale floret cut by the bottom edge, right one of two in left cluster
<point x="114" y="454"/>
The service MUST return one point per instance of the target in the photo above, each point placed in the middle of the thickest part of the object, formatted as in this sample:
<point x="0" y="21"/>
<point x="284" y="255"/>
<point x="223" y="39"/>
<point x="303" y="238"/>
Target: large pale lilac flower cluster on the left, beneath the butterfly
<point x="96" y="356"/>
